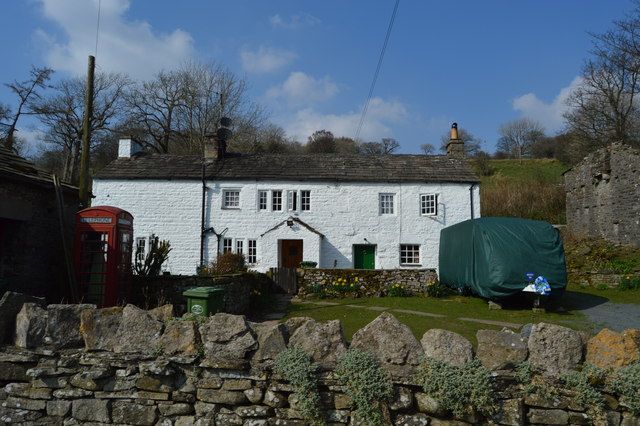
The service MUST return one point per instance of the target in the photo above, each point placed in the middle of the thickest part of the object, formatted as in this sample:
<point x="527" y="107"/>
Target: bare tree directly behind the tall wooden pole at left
<point x="62" y="114"/>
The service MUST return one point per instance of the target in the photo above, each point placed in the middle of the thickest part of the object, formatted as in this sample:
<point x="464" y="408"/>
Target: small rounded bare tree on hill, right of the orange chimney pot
<point x="517" y="137"/>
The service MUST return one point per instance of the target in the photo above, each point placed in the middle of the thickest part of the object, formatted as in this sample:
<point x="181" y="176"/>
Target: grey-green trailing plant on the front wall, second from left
<point x="365" y="383"/>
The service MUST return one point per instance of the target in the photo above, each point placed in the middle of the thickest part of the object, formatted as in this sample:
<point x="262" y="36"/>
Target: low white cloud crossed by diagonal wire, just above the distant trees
<point x="378" y="124"/>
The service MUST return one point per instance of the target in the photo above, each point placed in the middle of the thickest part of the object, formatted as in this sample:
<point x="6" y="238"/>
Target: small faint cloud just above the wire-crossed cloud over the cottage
<point x="302" y="89"/>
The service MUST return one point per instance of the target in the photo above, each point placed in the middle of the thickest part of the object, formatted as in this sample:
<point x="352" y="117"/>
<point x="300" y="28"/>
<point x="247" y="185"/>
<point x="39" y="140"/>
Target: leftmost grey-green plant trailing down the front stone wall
<point x="297" y="368"/>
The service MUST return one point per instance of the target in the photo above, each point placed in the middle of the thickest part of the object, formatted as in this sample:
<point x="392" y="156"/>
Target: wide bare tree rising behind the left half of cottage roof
<point x="178" y="108"/>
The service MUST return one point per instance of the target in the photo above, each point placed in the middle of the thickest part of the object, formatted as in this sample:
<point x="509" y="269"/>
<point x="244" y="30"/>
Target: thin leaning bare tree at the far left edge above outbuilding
<point x="28" y="92"/>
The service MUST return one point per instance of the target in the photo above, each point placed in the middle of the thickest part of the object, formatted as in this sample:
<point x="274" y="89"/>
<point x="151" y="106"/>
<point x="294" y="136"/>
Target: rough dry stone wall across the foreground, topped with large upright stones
<point x="160" y="370"/>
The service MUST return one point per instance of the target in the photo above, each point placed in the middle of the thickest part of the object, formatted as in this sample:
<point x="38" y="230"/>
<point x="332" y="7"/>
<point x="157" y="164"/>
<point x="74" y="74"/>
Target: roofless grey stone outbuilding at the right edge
<point x="603" y="195"/>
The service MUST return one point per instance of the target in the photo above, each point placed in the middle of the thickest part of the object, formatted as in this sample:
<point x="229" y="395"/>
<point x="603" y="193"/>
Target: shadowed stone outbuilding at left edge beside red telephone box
<point x="31" y="251"/>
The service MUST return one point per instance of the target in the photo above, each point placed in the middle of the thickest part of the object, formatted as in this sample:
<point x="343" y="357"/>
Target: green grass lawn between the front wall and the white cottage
<point x="452" y="307"/>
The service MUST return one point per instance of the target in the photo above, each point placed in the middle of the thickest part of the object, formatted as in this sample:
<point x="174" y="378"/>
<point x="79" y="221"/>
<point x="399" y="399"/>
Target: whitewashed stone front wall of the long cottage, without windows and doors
<point x="346" y="213"/>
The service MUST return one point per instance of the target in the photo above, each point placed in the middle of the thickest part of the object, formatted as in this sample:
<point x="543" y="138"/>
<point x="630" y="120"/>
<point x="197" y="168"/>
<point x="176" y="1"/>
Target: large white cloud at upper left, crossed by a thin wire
<point x="125" y="45"/>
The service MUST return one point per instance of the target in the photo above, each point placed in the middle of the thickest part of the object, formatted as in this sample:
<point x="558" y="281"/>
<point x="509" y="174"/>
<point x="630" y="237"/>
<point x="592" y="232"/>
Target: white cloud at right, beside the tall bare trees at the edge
<point x="549" y="114"/>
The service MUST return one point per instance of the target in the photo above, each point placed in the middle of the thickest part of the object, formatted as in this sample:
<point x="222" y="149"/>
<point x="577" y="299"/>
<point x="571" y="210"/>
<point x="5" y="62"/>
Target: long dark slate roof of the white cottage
<point x="298" y="167"/>
